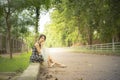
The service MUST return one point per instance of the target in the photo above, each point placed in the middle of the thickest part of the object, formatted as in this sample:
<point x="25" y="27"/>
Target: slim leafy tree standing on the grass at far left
<point x="8" y="7"/>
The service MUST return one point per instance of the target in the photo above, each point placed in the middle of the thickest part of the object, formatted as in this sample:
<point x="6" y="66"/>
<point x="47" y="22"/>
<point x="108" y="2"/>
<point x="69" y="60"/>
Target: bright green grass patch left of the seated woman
<point x="16" y="64"/>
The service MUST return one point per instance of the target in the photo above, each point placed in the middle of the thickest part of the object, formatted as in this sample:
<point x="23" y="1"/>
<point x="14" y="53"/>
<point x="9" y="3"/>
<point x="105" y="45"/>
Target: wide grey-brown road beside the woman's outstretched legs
<point x="82" y="66"/>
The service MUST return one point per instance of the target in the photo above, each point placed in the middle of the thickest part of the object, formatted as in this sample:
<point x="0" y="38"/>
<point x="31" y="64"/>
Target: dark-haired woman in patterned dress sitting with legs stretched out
<point x="38" y="53"/>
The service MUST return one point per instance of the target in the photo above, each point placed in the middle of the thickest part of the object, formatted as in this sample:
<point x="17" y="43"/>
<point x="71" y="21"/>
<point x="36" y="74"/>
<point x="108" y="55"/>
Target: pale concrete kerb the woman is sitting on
<point x="31" y="73"/>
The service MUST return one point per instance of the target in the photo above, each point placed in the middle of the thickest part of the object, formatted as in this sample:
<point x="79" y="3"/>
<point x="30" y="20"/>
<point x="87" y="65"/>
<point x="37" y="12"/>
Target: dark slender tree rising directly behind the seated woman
<point x="38" y="5"/>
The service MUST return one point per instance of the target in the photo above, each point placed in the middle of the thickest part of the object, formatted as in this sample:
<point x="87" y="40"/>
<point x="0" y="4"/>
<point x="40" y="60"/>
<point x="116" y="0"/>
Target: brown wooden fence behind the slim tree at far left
<point x="17" y="45"/>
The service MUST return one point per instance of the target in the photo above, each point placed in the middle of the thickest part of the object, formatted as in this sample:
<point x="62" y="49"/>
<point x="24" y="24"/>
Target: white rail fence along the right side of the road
<point x="106" y="47"/>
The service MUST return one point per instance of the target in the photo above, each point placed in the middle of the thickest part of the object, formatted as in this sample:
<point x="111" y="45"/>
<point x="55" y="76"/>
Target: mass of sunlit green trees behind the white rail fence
<point x="85" y="22"/>
